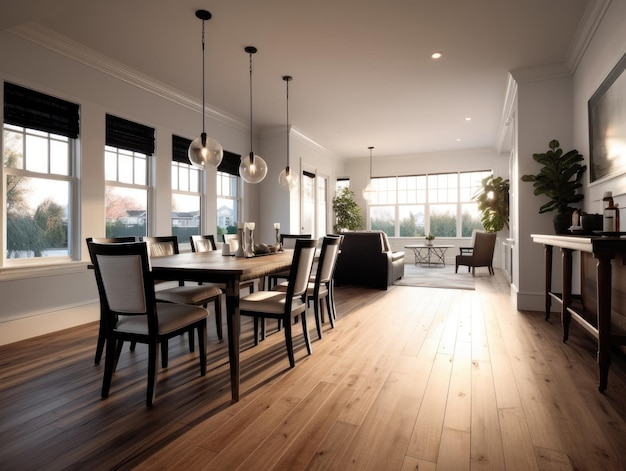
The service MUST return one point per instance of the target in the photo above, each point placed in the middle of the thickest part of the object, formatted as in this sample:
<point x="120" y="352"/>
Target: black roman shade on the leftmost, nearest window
<point x="35" y="110"/>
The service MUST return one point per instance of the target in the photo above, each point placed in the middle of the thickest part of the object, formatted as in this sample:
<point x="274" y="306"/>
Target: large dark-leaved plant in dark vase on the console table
<point x="559" y="179"/>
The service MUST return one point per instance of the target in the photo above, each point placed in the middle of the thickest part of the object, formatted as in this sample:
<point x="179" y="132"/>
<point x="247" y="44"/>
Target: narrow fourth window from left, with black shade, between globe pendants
<point x="228" y="195"/>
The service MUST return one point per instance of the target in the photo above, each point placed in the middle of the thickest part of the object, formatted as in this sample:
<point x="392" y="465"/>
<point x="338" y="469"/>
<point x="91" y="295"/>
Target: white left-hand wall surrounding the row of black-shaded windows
<point x="51" y="298"/>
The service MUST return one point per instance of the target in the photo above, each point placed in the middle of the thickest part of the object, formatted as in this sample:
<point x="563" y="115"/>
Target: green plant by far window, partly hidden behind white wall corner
<point x="493" y="203"/>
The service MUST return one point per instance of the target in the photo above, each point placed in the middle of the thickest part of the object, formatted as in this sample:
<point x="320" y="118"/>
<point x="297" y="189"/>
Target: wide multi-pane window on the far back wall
<point x="440" y="204"/>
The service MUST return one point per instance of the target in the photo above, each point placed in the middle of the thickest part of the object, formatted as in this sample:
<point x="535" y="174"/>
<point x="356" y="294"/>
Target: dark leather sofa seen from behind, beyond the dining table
<point x="366" y="260"/>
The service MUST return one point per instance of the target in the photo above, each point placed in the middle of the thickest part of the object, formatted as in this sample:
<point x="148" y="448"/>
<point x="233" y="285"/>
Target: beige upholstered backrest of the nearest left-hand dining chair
<point x="123" y="278"/>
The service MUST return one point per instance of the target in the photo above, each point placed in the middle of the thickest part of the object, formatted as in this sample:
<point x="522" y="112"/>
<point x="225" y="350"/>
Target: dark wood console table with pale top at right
<point x="603" y="249"/>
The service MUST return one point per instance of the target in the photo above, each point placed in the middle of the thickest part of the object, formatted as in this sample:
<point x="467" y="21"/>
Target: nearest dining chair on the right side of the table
<point x="285" y="305"/>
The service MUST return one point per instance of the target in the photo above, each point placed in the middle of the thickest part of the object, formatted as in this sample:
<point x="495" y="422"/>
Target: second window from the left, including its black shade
<point x="126" y="168"/>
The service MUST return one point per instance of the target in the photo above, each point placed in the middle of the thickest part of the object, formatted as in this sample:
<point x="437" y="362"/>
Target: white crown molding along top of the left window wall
<point x="51" y="40"/>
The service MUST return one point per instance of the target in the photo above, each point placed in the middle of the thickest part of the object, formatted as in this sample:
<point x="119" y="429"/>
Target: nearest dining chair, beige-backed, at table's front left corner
<point x="132" y="313"/>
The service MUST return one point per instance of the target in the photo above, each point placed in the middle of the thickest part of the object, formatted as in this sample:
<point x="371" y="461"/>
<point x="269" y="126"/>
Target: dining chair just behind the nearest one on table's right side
<point x="319" y="286"/>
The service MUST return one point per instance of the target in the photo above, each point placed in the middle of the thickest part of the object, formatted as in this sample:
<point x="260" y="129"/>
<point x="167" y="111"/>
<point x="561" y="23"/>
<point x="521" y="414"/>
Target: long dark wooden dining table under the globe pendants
<point x="228" y="270"/>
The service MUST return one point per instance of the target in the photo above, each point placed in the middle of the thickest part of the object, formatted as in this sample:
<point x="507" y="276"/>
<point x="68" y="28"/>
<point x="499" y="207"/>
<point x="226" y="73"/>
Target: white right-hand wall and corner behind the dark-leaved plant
<point x="556" y="108"/>
